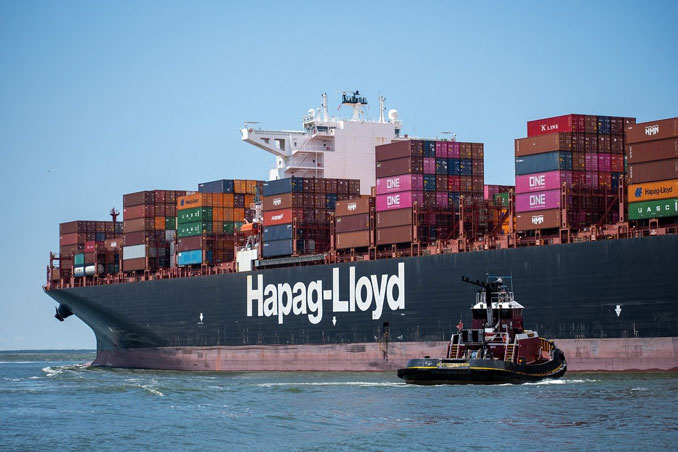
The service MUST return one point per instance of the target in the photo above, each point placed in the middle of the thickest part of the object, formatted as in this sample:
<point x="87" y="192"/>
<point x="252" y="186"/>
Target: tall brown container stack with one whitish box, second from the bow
<point x="149" y="228"/>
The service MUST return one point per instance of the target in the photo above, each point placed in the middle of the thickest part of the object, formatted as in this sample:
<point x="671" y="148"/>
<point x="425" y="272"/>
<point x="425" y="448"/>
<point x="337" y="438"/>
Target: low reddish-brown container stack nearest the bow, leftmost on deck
<point x="88" y="247"/>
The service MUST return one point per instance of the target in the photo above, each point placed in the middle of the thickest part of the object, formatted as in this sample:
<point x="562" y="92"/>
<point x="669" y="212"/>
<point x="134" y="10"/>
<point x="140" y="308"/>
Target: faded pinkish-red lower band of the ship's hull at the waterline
<point x="640" y="354"/>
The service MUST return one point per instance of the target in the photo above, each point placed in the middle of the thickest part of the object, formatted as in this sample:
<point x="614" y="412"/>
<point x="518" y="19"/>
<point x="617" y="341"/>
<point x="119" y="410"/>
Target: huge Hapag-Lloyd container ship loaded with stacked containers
<point x="349" y="257"/>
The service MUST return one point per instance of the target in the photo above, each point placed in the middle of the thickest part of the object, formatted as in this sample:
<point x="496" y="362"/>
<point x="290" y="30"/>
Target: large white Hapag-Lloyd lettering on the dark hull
<point x="302" y="298"/>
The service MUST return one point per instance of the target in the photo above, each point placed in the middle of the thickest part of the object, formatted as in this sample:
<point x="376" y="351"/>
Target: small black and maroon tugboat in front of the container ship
<point x="497" y="349"/>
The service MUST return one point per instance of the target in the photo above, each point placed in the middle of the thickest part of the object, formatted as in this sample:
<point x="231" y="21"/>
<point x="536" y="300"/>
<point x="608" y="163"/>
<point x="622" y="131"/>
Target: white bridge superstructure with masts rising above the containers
<point x="329" y="147"/>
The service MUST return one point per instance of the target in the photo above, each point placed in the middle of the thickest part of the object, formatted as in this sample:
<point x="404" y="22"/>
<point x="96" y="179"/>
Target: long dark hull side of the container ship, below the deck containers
<point x="607" y="290"/>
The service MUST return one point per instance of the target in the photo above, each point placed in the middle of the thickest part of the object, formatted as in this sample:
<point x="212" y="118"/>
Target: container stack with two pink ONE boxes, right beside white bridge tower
<point x="433" y="174"/>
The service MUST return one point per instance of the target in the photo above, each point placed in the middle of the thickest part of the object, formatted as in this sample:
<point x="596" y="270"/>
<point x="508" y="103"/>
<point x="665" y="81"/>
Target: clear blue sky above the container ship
<point x="98" y="99"/>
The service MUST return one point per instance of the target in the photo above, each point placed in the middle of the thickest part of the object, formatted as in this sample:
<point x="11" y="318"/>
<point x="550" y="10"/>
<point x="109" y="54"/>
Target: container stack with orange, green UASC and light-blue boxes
<point x="208" y="220"/>
